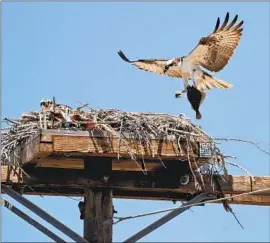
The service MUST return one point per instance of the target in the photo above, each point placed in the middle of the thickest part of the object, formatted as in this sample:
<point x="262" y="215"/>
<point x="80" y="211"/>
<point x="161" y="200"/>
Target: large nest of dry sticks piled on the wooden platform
<point x="142" y="126"/>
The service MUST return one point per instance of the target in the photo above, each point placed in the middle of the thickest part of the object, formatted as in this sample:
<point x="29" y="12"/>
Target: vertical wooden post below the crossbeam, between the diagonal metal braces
<point x="98" y="212"/>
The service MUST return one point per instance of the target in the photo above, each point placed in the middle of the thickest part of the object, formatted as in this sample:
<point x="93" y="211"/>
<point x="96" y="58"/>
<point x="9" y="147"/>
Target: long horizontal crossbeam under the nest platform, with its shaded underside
<point x="133" y="185"/>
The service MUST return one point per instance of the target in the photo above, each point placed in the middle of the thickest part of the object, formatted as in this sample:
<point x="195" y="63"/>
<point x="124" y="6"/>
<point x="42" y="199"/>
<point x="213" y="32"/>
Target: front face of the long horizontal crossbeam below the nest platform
<point x="130" y="180"/>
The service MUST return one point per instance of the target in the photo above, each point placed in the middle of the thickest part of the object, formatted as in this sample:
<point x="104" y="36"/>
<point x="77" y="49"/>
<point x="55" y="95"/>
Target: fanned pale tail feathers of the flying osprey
<point x="209" y="82"/>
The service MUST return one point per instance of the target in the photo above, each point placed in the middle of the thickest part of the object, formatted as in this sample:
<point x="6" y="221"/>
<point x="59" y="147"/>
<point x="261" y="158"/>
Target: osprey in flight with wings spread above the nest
<point x="212" y="52"/>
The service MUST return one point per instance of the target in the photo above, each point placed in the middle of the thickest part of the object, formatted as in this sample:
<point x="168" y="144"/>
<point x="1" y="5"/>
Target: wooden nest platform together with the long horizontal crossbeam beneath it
<point x="66" y="163"/>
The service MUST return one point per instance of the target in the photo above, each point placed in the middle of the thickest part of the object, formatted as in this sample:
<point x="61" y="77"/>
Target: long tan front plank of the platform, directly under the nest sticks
<point x="110" y="146"/>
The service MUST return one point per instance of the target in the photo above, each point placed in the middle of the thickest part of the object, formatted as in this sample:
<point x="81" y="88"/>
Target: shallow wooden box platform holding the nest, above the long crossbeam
<point x="51" y="146"/>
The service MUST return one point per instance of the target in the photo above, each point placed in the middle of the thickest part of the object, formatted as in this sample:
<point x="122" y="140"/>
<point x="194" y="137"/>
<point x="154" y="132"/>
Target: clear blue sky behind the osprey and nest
<point x="69" y="50"/>
